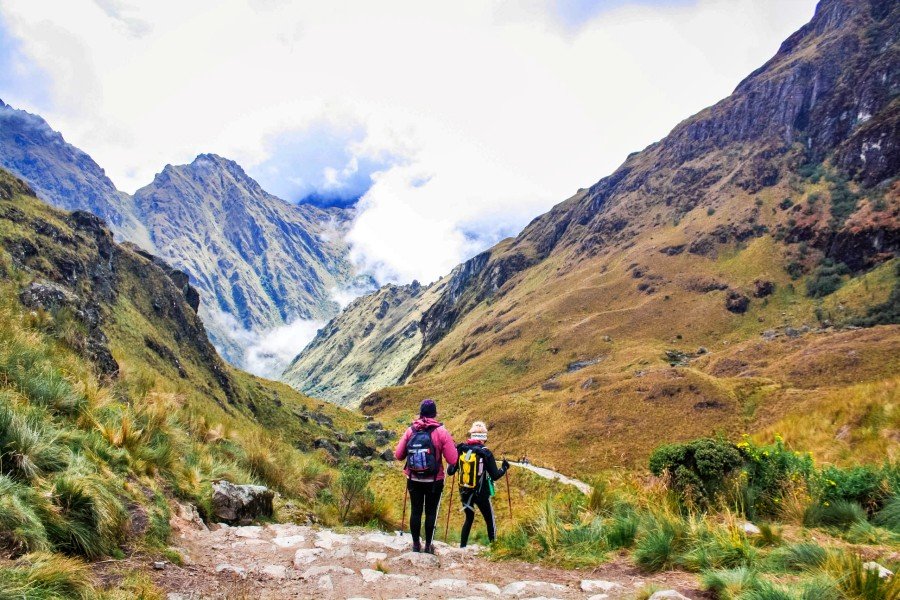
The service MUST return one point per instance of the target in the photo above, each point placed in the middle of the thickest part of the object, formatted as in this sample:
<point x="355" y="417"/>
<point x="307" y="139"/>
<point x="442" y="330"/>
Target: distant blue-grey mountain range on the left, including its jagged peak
<point x="258" y="262"/>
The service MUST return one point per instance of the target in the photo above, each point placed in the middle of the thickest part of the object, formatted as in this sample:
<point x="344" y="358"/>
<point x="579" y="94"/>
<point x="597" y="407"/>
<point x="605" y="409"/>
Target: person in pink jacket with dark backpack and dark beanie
<point x="425" y="446"/>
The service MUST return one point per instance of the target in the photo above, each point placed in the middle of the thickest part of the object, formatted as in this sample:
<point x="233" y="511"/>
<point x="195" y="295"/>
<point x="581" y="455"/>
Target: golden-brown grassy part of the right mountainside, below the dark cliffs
<point x="507" y="361"/>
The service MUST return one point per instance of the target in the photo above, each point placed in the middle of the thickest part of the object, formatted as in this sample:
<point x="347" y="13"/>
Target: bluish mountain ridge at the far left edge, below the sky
<point x="64" y="175"/>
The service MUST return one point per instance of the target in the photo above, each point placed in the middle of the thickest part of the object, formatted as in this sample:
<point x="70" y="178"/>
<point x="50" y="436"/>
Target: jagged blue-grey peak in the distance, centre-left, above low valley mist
<point x="252" y="256"/>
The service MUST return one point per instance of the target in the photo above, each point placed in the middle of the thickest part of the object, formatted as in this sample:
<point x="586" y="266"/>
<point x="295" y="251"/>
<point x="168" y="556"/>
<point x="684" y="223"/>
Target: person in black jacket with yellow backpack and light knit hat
<point x="476" y="470"/>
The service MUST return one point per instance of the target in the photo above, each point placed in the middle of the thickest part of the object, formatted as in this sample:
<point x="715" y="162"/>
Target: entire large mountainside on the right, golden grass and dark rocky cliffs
<point x="705" y="286"/>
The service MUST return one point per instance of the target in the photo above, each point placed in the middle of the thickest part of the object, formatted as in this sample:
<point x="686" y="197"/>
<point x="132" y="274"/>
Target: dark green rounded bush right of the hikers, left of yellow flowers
<point x="697" y="470"/>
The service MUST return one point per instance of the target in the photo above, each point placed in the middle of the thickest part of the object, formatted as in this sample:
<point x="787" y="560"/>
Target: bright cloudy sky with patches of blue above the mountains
<point x="457" y="122"/>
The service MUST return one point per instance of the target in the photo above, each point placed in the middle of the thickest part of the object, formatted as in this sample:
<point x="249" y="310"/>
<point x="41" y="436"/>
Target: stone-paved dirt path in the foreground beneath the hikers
<point x="293" y="561"/>
